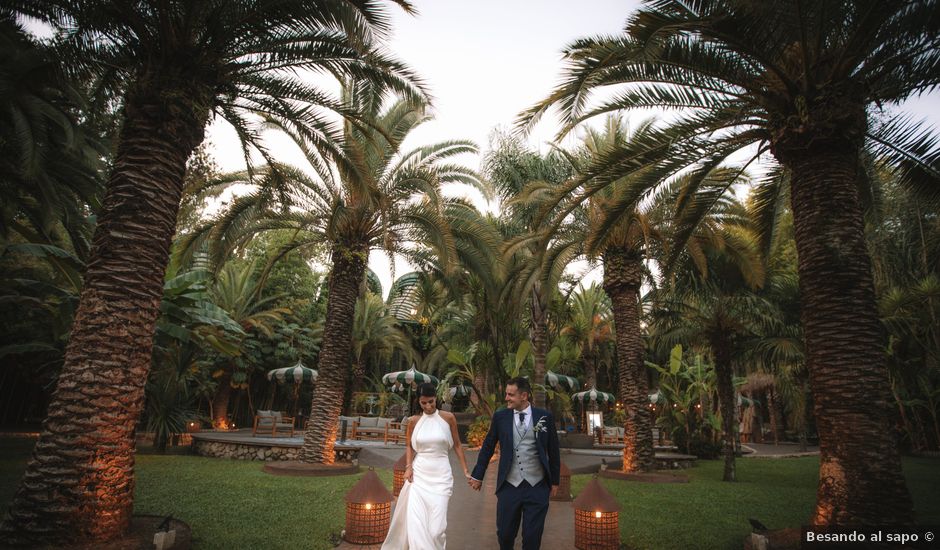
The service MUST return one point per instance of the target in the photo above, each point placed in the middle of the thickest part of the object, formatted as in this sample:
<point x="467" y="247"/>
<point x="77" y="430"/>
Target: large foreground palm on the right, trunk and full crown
<point x="797" y="81"/>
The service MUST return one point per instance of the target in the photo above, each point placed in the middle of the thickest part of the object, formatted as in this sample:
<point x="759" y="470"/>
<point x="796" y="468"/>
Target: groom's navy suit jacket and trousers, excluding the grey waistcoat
<point x="525" y="503"/>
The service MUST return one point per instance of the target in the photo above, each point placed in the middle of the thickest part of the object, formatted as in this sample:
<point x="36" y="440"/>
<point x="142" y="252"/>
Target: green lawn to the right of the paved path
<point x="708" y="513"/>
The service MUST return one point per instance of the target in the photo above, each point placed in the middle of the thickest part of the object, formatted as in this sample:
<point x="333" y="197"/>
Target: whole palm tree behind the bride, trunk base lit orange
<point x="367" y="193"/>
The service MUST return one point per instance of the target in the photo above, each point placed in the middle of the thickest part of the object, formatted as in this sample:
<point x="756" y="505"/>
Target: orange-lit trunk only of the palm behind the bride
<point x="349" y="264"/>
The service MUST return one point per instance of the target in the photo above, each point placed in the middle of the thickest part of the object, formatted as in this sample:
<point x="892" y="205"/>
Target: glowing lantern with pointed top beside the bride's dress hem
<point x="368" y="511"/>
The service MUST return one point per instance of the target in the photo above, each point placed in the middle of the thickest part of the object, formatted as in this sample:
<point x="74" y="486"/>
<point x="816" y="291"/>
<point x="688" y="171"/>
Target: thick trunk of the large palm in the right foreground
<point x="860" y="480"/>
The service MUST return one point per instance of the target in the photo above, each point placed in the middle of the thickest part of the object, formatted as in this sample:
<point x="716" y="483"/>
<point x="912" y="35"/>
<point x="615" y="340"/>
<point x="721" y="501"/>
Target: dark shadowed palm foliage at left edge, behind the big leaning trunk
<point x="49" y="161"/>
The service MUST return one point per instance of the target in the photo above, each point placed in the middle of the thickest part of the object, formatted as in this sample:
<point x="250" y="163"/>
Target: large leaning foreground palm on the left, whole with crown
<point x="172" y="65"/>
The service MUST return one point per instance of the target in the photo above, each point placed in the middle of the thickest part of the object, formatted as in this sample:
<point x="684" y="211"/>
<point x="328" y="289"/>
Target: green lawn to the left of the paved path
<point x="227" y="503"/>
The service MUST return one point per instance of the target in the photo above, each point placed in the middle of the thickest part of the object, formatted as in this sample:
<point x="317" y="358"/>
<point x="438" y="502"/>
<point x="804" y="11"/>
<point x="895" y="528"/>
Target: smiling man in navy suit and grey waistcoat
<point x="529" y="466"/>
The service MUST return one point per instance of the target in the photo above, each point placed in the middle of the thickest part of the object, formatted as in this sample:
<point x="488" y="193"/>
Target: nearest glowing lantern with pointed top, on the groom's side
<point x="596" y="519"/>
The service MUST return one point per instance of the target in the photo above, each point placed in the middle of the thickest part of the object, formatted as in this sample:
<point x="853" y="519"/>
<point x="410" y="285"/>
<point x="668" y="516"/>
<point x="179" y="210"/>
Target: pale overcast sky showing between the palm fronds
<point x="484" y="62"/>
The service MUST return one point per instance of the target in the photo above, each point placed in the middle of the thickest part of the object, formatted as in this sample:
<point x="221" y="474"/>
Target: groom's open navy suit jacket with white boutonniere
<point x="501" y="428"/>
